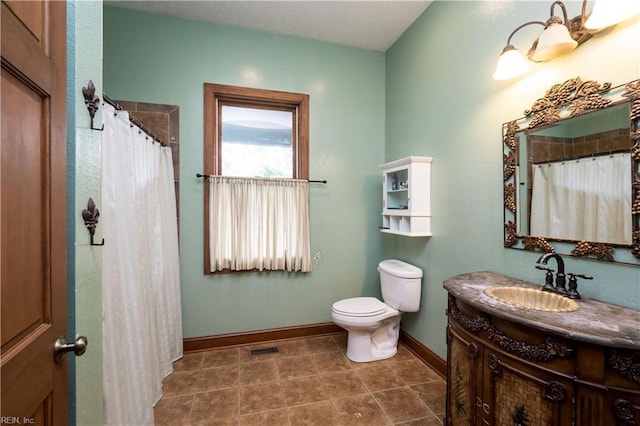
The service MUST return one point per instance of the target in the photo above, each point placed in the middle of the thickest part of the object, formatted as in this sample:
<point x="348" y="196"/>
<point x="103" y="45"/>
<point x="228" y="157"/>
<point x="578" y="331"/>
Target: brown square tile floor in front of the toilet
<point x="309" y="382"/>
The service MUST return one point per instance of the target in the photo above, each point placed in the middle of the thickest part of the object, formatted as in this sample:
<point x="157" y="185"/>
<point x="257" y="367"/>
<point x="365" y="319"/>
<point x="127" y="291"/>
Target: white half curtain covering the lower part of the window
<point x="259" y="224"/>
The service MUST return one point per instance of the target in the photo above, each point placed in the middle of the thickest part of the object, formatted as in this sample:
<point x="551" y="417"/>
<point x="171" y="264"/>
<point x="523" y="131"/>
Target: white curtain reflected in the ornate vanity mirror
<point x="583" y="200"/>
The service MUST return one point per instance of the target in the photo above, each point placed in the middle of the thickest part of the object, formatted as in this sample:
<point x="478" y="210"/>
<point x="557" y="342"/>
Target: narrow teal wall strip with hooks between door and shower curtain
<point x="84" y="52"/>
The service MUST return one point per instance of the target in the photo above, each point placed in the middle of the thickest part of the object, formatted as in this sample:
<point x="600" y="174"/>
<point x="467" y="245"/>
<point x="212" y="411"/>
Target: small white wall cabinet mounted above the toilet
<point x="406" y="197"/>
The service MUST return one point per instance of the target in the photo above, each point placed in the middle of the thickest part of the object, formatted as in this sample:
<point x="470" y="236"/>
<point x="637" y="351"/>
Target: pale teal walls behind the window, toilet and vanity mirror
<point x="431" y="94"/>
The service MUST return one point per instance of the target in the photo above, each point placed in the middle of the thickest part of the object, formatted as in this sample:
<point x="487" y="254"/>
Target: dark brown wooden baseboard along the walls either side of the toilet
<point x="196" y="344"/>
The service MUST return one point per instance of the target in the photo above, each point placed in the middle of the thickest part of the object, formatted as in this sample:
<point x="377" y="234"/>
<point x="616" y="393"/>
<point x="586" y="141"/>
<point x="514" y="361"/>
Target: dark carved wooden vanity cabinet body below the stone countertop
<point x="502" y="373"/>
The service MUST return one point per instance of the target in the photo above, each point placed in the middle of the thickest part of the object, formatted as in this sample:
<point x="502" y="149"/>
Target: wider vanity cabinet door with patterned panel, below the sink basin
<point x="522" y="394"/>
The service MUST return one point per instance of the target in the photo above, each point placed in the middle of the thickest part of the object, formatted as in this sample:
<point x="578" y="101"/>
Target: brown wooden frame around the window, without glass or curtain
<point x="216" y="95"/>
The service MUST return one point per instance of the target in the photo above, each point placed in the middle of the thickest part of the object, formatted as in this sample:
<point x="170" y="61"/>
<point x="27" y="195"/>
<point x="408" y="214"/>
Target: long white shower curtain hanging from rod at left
<point x="141" y="308"/>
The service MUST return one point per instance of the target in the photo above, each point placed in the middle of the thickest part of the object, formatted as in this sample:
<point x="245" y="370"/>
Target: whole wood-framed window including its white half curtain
<point x="255" y="133"/>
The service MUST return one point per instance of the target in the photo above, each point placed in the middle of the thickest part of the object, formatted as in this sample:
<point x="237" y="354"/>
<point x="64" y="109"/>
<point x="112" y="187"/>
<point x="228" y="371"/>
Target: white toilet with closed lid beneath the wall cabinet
<point x="374" y="326"/>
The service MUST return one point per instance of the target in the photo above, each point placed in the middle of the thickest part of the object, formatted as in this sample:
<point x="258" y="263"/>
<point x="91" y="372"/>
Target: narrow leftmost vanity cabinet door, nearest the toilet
<point x="464" y="358"/>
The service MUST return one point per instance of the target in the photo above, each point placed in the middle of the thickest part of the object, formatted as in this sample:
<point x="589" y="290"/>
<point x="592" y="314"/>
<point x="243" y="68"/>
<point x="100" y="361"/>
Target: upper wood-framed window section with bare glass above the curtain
<point x="255" y="132"/>
